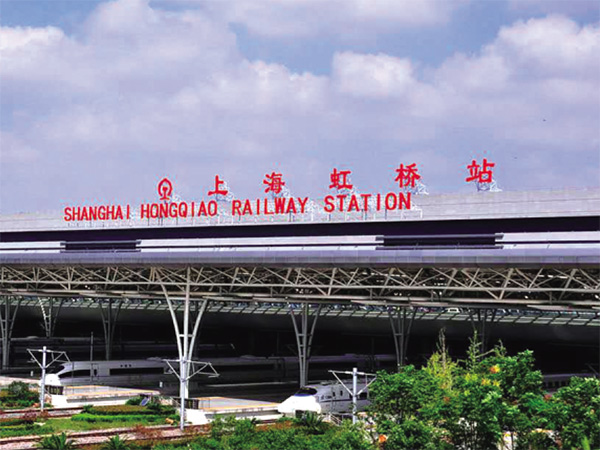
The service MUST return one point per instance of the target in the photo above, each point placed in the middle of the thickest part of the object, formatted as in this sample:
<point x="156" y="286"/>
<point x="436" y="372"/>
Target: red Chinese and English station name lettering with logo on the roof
<point x="279" y="202"/>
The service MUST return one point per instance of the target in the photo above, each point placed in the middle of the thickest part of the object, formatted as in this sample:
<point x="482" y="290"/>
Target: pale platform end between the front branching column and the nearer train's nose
<point x="203" y="410"/>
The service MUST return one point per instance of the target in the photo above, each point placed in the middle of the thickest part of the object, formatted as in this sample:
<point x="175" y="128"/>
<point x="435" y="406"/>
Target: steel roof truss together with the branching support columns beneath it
<point x="397" y="287"/>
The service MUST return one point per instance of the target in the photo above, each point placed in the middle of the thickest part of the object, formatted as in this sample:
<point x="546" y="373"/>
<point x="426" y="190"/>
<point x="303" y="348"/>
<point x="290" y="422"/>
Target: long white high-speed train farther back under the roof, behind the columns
<point x="243" y="369"/>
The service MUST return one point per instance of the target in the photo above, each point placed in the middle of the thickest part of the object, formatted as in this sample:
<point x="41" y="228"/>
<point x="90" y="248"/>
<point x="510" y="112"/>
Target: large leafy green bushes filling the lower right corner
<point x="478" y="403"/>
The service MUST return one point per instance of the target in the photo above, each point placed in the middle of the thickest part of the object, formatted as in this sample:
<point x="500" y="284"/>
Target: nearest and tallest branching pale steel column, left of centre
<point x="185" y="340"/>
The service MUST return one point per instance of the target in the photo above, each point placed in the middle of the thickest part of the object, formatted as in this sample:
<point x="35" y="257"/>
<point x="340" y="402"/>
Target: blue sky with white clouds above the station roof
<point x="101" y="99"/>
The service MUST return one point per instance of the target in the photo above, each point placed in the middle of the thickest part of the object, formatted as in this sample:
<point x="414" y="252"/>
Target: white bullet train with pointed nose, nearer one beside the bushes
<point x="324" y="398"/>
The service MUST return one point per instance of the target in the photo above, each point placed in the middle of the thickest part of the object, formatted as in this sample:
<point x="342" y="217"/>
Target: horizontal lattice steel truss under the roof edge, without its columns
<point x="509" y="287"/>
